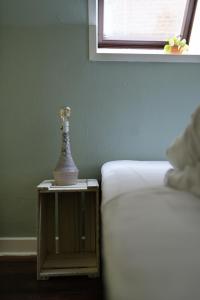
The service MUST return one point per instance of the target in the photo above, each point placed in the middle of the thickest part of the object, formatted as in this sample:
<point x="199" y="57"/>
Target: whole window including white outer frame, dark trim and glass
<point x="107" y="42"/>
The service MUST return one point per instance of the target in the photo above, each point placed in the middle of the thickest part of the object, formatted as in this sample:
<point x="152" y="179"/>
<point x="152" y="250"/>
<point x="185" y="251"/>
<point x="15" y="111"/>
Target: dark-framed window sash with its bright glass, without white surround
<point x="143" y="23"/>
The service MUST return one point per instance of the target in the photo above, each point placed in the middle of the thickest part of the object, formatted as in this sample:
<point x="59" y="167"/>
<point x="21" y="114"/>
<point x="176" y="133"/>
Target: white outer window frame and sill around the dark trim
<point x="128" y="55"/>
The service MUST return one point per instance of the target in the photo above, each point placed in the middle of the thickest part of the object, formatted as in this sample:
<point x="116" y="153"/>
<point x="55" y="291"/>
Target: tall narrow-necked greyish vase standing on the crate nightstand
<point x="66" y="172"/>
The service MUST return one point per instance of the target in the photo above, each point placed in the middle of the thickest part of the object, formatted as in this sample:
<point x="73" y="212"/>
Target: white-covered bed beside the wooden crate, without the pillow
<point x="151" y="234"/>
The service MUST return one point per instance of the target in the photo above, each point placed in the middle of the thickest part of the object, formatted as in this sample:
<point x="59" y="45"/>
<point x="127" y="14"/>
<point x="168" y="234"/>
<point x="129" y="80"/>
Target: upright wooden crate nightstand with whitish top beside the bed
<point x="68" y="229"/>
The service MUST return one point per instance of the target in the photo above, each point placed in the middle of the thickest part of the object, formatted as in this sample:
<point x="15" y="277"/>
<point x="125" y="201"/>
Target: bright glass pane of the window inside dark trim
<point x="143" y="20"/>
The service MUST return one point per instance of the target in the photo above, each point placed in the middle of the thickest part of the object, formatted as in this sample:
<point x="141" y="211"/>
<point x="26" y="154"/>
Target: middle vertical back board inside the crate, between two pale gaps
<point x="69" y="222"/>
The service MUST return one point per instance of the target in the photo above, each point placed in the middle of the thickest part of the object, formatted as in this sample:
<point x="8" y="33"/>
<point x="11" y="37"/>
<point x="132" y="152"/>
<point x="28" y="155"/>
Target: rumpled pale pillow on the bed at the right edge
<point x="184" y="155"/>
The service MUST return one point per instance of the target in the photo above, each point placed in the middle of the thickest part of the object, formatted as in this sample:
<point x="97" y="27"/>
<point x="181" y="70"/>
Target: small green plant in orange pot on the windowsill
<point x="176" y="45"/>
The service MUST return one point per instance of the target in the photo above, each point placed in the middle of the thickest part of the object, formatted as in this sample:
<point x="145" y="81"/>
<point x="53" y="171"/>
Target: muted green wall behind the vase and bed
<point x="119" y="110"/>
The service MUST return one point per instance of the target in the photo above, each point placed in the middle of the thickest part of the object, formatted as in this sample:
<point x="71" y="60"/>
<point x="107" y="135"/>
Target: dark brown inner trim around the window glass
<point x="185" y="32"/>
